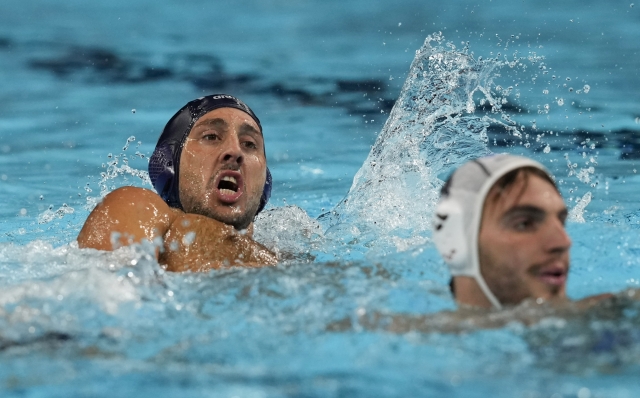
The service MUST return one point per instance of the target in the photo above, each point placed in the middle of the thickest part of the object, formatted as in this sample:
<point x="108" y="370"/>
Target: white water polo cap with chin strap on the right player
<point x="456" y="220"/>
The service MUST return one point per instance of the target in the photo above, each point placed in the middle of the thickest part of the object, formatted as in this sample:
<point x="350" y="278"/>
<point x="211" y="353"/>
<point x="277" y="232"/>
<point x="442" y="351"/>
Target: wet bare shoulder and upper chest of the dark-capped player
<point x="130" y="215"/>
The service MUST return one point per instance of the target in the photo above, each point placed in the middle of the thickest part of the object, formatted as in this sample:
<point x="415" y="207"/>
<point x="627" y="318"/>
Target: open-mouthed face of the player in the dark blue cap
<point x="224" y="145"/>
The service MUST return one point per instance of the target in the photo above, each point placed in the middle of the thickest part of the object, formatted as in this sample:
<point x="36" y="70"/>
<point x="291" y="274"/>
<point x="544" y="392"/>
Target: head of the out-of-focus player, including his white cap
<point x="499" y="226"/>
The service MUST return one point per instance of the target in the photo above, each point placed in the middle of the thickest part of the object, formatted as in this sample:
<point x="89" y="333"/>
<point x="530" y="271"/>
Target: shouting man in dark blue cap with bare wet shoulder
<point x="210" y="174"/>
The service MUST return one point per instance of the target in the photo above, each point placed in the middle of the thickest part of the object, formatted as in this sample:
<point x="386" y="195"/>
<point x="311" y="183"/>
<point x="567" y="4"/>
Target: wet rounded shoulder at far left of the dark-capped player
<point x="125" y="216"/>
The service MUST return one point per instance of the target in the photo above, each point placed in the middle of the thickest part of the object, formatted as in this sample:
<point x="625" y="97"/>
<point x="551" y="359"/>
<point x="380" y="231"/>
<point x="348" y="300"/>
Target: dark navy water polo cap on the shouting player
<point x="164" y="164"/>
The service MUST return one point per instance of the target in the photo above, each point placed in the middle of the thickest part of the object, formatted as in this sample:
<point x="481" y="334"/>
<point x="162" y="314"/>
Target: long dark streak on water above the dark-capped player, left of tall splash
<point x="206" y="73"/>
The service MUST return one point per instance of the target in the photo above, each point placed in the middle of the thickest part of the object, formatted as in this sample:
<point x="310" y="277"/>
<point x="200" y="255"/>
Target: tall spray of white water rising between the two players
<point x="432" y="128"/>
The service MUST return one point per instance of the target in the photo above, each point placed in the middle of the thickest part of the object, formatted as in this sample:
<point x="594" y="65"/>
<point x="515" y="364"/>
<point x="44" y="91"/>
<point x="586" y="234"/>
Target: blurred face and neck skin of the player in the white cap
<point x="523" y="245"/>
